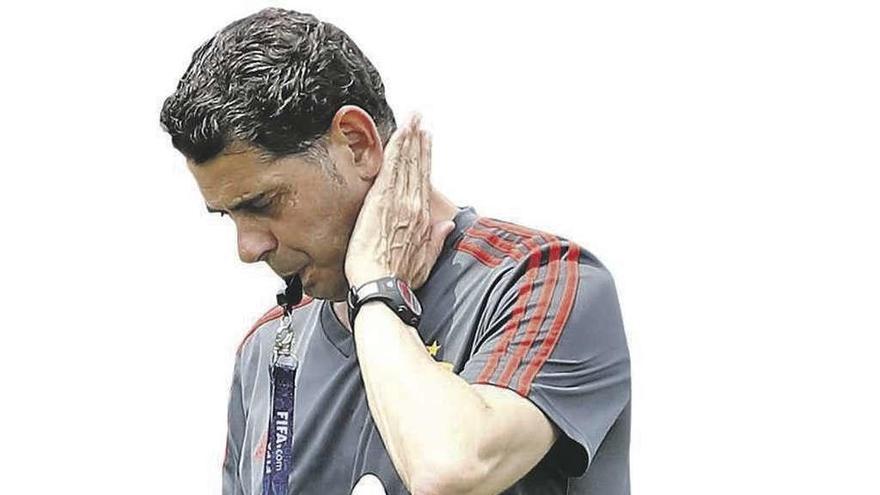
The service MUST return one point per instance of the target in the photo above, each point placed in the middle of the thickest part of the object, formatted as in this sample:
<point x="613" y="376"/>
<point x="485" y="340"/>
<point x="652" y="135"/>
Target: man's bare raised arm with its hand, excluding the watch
<point x="443" y="435"/>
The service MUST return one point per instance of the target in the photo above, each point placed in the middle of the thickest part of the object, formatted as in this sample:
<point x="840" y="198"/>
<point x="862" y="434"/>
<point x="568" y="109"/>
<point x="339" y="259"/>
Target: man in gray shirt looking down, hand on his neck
<point x="512" y="375"/>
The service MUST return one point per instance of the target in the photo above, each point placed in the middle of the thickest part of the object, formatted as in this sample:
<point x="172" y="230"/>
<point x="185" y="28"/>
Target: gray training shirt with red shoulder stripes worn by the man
<point x="504" y="305"/>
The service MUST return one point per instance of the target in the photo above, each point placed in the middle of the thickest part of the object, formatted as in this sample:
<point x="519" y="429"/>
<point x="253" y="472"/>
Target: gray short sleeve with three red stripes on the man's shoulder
<point x="556" y="337"/>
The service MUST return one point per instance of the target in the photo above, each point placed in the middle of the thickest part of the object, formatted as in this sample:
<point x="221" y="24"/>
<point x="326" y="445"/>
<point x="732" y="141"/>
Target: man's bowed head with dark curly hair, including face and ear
<point x="283" y="120"/>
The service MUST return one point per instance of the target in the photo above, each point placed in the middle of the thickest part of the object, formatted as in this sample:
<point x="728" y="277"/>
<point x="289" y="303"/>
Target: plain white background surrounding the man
<point x="720" y="157"/>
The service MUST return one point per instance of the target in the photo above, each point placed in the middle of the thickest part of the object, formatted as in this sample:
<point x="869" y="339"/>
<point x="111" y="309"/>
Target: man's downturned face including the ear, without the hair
<point x="291" y="213"/>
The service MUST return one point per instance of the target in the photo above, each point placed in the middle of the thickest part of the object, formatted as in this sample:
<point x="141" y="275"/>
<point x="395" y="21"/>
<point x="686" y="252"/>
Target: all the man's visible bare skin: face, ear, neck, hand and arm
<point x="378" y="217"/>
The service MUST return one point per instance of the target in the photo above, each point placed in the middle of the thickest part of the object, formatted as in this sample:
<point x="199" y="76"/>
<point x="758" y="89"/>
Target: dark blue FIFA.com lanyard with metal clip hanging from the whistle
<point x="279" y="445"/>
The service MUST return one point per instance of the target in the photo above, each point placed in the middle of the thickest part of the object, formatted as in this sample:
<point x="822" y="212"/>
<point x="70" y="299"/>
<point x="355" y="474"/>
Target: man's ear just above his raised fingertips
<point x="353" y="128"/>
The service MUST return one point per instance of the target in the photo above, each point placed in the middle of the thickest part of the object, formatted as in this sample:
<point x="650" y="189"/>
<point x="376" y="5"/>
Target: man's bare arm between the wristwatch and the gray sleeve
<point x="443" y="434"/>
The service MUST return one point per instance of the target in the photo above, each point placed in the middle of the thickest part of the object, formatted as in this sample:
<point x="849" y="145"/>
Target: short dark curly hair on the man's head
<point x="274" y="79"/>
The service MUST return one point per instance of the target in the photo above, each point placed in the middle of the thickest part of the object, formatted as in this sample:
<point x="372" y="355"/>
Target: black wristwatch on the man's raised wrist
<point x="392" y="291"/>
